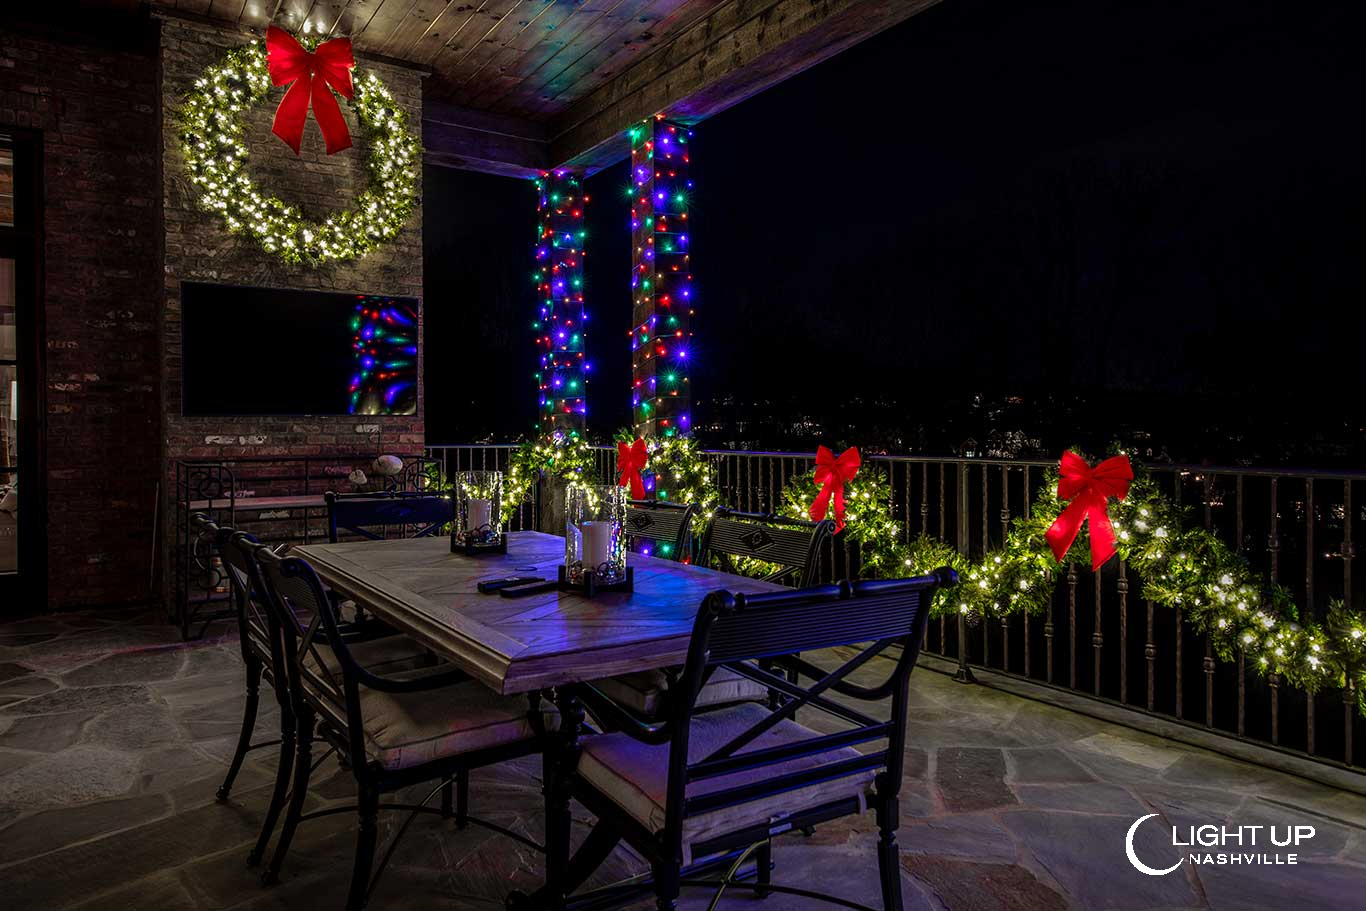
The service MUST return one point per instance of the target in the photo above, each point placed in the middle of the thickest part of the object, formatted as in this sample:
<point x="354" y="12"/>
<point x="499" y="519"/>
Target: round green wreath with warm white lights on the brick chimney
<point x="217" y="156"/>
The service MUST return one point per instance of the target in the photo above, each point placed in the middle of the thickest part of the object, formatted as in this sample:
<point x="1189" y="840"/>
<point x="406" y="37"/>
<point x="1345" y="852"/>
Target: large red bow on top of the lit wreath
<point x="312" y="74"/>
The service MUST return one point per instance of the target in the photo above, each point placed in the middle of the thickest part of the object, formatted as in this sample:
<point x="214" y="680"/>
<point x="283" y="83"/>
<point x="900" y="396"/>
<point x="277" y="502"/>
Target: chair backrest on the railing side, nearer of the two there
<point x="792" y="544"/>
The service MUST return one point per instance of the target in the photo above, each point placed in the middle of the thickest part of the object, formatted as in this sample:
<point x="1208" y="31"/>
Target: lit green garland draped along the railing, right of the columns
<point x="1180" y="567"/>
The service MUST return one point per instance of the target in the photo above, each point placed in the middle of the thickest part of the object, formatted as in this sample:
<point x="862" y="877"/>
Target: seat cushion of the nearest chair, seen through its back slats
<point x="635" y="775"/>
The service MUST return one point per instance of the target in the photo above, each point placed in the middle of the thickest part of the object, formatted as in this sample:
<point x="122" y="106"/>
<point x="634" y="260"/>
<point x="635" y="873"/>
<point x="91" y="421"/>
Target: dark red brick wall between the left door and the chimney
<point x="96" y="104"/>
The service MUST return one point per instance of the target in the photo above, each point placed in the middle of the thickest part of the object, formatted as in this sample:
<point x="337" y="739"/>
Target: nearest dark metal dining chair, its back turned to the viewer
<point x="701" y="790"/>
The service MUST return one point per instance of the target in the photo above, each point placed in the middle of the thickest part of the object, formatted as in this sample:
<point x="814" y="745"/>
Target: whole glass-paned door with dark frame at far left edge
<point x="23" y="532"/>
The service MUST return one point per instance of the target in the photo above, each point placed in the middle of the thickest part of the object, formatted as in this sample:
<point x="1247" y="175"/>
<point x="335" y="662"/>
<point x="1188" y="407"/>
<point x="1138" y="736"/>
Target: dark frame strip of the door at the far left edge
<point x="25" y="245"/>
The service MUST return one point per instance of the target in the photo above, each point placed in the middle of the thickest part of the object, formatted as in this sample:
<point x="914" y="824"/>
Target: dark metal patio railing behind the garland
<point x="1100" y="637"/>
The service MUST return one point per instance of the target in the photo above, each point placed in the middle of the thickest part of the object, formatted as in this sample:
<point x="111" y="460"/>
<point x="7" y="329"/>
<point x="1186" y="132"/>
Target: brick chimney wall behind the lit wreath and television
<point x="200" y="249"/>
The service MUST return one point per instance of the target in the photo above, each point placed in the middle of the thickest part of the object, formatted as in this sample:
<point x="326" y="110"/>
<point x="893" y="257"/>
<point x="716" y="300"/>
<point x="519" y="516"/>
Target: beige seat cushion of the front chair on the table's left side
<point x="404" y="730"/>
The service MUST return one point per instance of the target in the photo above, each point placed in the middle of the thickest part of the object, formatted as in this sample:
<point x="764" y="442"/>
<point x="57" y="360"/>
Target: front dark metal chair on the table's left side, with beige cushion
<point x="395" y="729"/>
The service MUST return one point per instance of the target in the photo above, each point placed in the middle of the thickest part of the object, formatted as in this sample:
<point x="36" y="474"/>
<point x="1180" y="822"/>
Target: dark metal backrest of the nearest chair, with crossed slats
<point x="737" y="630"/>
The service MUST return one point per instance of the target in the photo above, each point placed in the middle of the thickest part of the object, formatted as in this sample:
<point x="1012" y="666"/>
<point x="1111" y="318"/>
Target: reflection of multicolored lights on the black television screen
<point x="386" y="350"/>
